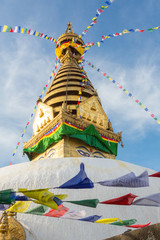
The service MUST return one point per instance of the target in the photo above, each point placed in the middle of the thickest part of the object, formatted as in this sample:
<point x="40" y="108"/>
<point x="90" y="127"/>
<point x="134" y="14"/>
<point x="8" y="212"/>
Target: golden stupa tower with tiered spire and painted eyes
<point x="70" y="120"/>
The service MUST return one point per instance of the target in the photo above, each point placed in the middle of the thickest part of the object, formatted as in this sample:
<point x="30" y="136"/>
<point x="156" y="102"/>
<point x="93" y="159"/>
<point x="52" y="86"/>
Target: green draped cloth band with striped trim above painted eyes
<point x="89" y="135"/>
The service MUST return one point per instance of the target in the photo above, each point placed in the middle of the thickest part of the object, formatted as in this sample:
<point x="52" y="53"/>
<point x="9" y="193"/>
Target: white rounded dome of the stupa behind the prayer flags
<point x="50" y="173"/>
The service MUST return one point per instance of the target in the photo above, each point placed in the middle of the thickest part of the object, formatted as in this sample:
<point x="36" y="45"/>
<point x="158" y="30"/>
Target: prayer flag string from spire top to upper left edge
<point x="19" y="29"/>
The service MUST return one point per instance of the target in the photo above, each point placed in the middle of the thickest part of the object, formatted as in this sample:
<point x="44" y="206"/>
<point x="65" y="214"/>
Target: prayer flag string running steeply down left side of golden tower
<point x="35" y="107"/>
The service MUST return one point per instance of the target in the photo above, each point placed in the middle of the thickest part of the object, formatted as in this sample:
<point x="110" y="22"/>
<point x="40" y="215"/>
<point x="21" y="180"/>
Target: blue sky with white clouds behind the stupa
<point x="132" y="59"/>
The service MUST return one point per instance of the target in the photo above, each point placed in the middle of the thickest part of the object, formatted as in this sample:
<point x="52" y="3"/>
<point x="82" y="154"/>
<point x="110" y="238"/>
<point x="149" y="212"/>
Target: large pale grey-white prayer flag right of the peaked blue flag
<point x="128" y="180"/>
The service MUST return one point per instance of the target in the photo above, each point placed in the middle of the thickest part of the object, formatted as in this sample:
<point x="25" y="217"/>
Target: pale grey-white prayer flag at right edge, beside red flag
<point x="152" y="200"/>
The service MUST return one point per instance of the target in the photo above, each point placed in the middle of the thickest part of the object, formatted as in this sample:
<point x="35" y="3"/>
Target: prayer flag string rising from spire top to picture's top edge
<point x="99" y="12"/>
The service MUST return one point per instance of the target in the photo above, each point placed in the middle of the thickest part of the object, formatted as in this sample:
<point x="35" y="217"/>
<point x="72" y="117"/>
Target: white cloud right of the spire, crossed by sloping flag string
<point x="142" y="81"/>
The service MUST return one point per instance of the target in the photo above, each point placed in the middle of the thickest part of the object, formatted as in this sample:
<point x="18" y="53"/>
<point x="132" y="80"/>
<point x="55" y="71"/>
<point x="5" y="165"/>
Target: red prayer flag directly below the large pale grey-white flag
<point x="124" y="200"/>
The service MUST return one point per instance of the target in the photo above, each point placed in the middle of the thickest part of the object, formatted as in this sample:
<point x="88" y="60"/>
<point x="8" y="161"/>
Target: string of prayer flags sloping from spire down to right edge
<point x="124" y="90"/>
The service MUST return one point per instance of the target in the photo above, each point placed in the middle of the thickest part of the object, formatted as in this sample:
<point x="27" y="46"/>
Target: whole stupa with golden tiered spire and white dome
<point x="71" y="127"/>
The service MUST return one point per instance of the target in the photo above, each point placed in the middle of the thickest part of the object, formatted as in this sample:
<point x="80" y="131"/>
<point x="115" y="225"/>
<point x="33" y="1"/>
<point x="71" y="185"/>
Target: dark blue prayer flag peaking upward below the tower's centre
<point x="79" y="181"/>
